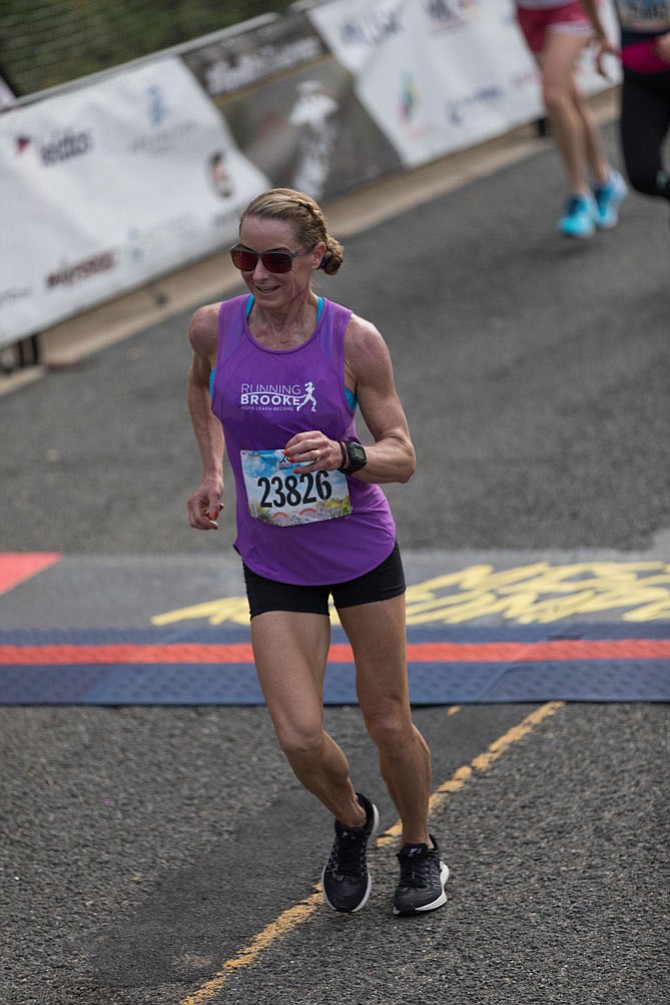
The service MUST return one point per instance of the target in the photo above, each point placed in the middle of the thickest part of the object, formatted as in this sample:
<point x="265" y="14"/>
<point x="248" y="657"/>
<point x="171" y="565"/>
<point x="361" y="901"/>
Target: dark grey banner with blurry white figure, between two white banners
<point x="293" y="109"/>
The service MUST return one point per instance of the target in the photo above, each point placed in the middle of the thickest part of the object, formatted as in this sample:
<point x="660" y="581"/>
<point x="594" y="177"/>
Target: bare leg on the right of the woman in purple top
<point x="377" y="634"/>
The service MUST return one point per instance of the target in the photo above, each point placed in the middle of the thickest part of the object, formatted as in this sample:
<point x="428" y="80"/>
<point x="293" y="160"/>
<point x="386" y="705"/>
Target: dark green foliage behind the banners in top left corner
<point x="48" y="43"/>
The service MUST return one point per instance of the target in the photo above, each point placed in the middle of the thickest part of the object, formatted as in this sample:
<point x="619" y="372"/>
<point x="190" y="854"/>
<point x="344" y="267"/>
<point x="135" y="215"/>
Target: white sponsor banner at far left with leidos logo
<point x="109" y="186"/>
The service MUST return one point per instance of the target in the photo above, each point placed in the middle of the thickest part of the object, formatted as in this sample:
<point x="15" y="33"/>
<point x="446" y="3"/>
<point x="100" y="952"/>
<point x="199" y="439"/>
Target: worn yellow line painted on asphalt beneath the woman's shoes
<point x="300" y="913"/>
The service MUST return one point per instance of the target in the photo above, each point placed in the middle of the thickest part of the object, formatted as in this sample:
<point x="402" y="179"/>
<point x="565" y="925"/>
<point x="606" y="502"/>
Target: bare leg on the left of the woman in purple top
<point x="291" y="652"/>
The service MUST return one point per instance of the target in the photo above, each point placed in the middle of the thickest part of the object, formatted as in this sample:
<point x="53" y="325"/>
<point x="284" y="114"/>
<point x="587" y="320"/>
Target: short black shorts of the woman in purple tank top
<point x="382" y="583"/>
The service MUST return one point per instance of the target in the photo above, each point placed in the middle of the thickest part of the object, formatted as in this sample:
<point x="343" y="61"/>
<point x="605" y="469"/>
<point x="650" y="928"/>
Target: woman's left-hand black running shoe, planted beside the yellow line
<point x="346" y="880"/>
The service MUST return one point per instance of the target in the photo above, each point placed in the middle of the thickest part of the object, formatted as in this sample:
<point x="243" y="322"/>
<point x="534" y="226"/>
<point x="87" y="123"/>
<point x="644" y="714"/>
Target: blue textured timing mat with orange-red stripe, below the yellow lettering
<point x="133" y="667"/>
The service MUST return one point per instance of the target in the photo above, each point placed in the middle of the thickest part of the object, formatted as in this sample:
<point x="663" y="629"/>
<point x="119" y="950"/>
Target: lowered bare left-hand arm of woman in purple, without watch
<point x="204" y="505"/>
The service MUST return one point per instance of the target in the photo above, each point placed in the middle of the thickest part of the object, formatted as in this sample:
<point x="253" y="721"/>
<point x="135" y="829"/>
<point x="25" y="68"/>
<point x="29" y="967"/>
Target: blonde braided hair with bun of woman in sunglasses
<point x="308" y="218"/>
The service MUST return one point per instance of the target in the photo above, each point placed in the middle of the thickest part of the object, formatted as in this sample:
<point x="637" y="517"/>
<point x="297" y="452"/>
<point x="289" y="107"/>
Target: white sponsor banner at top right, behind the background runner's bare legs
<point x="437" y="76"/>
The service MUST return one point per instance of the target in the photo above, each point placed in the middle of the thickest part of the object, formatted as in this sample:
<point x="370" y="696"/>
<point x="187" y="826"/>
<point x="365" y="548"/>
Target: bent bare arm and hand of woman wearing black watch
<point x="369" y="372"/>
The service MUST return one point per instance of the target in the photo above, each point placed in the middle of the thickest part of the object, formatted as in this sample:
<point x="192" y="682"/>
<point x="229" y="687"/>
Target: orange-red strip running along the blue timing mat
<point x="417" y="653"/>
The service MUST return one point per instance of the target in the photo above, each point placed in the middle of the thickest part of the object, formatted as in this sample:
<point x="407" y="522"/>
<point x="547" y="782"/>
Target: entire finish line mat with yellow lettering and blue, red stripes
<point x="93" y="631"/>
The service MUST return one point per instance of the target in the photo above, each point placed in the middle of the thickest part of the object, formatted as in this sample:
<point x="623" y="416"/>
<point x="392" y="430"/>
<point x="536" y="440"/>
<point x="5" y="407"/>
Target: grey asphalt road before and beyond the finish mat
<point x="145" y="850"/>
